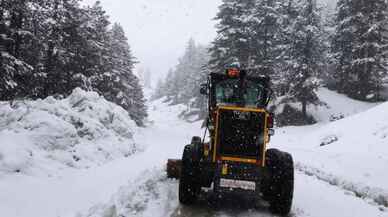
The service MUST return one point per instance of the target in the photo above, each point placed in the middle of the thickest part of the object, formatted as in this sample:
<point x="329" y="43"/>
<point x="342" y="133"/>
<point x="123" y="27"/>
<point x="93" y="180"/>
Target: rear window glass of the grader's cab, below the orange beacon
<point x="235" y="92"/>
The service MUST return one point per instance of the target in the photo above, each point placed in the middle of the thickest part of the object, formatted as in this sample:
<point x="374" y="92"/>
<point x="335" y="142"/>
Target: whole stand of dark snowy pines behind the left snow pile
<point x="49" y="47"/>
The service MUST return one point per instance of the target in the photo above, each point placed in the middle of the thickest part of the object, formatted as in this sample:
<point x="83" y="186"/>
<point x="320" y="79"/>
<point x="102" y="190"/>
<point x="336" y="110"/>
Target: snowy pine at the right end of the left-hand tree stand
<point x="119" y="84"/>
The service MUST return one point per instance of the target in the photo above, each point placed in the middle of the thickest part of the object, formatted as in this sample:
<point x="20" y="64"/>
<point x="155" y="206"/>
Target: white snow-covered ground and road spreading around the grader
<point x="344" y="177"/>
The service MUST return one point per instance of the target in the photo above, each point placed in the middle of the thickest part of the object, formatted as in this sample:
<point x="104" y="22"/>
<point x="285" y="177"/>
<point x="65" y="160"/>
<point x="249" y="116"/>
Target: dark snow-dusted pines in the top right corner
<point x="360" y="47"/>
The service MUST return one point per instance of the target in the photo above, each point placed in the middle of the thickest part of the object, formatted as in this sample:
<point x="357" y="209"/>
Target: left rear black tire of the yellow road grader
<point x="188" y="185"/>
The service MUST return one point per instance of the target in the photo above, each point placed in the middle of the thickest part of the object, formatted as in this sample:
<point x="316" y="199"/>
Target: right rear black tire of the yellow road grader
<point x="280" y="186"/>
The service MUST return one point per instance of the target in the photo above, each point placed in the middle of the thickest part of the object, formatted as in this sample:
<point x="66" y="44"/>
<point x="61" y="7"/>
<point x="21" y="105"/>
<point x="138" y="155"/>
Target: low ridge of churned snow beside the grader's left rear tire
<point x="152" y="194"/>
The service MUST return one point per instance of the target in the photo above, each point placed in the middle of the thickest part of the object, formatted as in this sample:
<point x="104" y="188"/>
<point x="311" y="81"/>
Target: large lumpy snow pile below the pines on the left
<point x="79" y="131"/>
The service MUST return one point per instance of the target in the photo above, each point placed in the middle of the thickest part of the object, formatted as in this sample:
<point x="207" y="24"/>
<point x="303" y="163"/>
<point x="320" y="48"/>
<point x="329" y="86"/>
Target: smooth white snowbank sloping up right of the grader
<point x="351" y="152"/>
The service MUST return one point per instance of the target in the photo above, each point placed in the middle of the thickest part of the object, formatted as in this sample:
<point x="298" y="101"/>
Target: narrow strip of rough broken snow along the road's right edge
<point x="373" y="196"/>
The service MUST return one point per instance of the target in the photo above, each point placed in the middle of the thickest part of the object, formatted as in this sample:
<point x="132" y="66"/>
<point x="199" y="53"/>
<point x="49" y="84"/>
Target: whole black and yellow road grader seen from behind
<point x="236" y="159"/>
